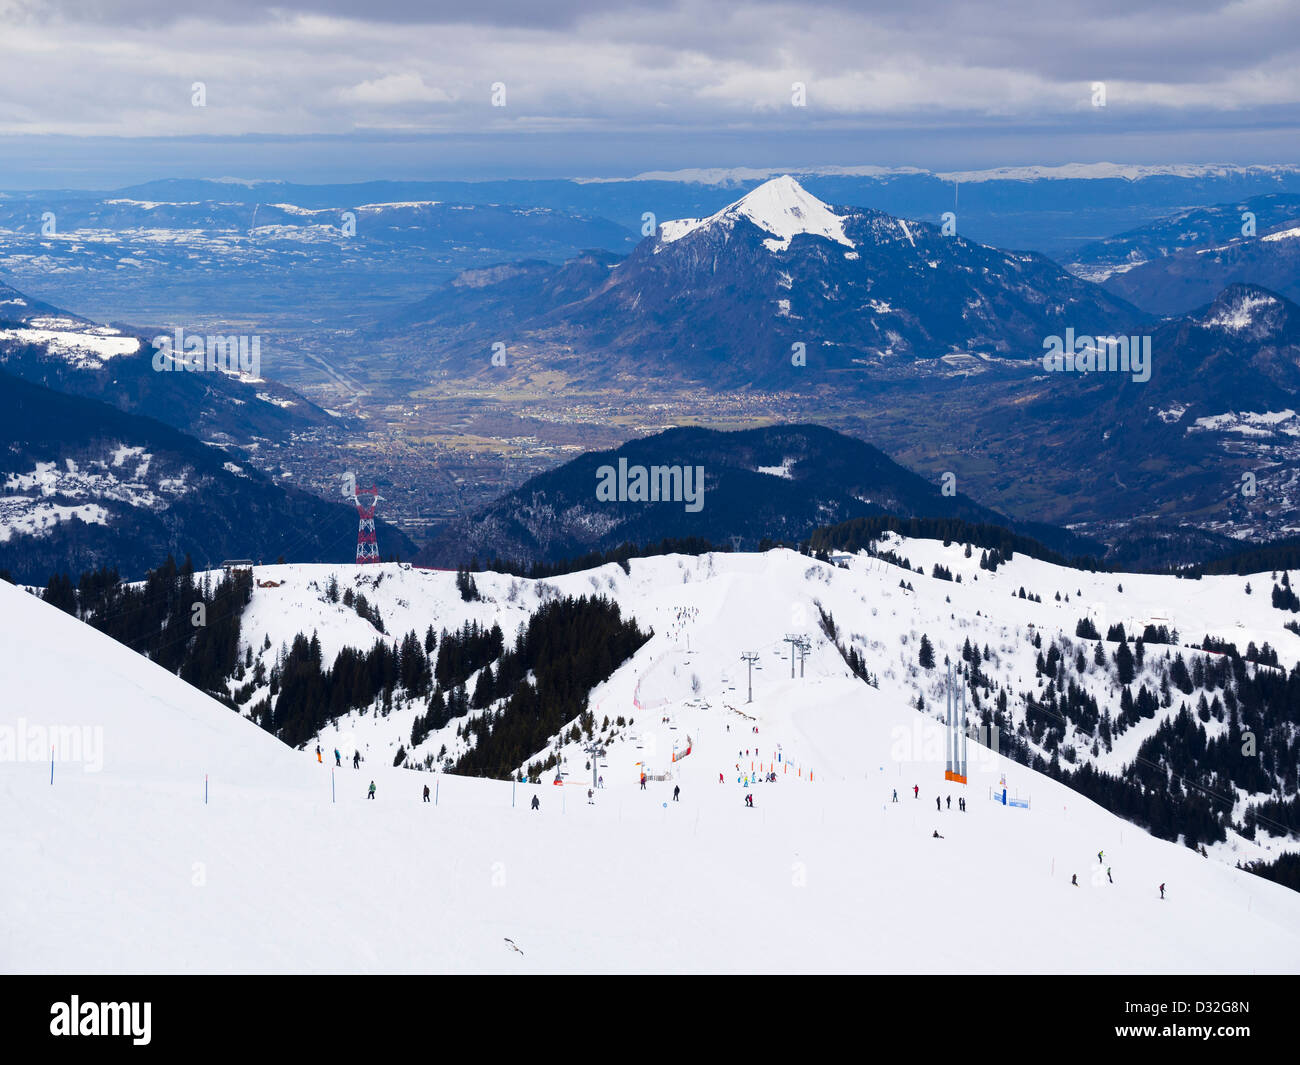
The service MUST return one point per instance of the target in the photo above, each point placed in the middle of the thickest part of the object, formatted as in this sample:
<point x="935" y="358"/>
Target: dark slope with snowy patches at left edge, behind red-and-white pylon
<point x="84" y="484"/>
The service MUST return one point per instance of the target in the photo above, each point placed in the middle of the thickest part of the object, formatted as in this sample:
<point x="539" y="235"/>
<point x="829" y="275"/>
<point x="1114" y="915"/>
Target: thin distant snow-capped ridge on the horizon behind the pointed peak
<point x="1069" y="171"/>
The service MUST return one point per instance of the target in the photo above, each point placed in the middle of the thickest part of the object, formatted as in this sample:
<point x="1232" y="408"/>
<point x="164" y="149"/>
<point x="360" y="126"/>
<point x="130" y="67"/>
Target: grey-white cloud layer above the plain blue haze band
<point x="658" y="68"/>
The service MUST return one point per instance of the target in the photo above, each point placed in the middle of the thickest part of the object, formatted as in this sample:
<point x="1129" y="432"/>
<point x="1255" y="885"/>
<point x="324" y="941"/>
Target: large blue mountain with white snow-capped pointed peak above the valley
<point x="777" y="291"/>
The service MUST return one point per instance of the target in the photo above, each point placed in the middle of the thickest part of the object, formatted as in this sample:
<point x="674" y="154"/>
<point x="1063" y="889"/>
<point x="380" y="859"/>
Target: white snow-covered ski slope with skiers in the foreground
<point x="127" y="869"/>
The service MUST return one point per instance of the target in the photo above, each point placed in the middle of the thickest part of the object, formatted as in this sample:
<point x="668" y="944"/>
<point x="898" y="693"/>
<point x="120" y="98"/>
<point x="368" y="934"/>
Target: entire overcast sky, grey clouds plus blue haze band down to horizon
<point x="101" y="93"/>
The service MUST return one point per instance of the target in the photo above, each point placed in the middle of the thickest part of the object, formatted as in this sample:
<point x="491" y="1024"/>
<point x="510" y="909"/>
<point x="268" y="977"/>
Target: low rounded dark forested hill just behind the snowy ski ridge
<point x="774" y="484"/>
